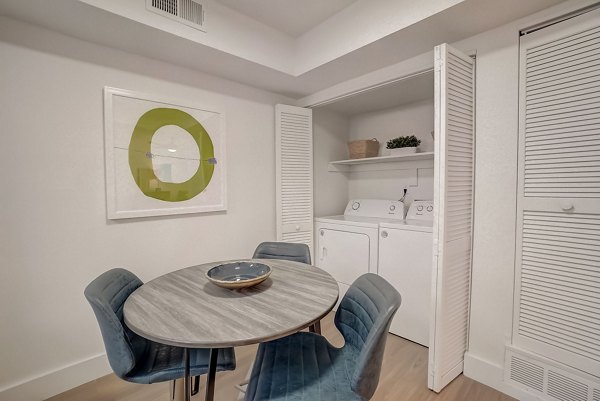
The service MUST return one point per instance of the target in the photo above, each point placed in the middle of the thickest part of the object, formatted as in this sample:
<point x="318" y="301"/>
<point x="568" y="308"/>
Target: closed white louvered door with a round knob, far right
<point x="557" y="305"/>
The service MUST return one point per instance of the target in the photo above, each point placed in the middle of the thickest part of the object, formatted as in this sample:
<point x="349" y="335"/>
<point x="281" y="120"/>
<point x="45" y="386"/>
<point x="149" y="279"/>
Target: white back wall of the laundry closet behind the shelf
<point x="410" y="119"/>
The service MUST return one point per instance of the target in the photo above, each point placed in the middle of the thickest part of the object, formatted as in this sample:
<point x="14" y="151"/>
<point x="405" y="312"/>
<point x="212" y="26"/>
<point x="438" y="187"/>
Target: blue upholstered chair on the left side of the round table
<point x="134" y="358"/>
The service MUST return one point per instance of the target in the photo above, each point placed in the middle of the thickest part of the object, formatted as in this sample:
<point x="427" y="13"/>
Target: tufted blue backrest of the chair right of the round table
<point x="363" y="317"/>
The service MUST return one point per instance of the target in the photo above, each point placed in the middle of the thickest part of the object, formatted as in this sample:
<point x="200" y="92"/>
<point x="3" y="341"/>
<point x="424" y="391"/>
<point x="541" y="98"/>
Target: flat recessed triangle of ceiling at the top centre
<point x="291" y="17"/>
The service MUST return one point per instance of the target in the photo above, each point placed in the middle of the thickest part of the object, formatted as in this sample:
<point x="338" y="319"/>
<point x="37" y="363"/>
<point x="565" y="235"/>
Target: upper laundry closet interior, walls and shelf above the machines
<point x="405" y="107"/>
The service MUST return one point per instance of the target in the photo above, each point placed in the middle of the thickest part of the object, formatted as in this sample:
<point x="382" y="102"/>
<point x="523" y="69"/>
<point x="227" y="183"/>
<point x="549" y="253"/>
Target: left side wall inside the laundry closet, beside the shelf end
<point x="330" y="133"/>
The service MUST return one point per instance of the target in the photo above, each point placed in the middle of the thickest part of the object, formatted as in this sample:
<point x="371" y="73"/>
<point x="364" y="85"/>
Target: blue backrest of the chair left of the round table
<point x="107" y="294"/>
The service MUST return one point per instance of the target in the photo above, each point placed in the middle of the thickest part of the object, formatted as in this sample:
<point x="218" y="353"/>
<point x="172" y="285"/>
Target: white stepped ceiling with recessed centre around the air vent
<point x="240" y="48"/>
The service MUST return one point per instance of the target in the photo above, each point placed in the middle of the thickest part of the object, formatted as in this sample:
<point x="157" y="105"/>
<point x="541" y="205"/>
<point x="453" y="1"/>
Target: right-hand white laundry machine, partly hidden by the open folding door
<point x="405" y="261"/>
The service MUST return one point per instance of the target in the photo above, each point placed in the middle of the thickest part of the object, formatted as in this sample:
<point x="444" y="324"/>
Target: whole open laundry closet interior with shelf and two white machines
<point x="368" y="233"/>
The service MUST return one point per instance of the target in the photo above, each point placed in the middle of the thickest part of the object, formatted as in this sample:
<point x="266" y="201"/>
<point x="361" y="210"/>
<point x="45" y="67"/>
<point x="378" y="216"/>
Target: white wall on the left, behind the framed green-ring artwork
<point x="55" y="237"/>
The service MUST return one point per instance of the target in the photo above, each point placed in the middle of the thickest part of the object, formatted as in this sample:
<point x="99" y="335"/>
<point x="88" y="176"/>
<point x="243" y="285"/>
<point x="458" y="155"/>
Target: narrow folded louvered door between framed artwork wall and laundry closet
<point x="294" y="181"/>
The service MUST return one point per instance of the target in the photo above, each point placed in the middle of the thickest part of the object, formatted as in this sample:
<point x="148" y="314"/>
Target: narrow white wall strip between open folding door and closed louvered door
<point x="495" y="202"/>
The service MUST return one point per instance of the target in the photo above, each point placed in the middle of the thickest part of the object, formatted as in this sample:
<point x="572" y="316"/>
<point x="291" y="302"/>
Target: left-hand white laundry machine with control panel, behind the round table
<point x="348" y="245"/>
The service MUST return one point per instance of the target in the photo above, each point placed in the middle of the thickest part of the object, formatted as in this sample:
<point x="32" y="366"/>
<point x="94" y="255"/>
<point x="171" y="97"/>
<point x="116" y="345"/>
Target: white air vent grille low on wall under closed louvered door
<point x="548" y="379"/>
